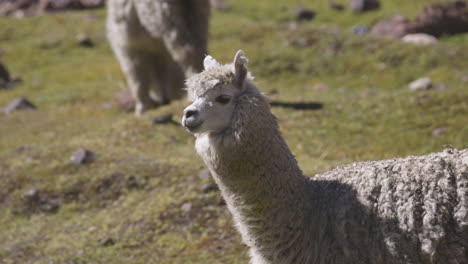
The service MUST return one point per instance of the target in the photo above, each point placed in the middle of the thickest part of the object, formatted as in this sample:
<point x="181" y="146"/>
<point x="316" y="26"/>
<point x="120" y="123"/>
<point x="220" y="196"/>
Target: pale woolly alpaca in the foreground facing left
<point x="410" y="210"/>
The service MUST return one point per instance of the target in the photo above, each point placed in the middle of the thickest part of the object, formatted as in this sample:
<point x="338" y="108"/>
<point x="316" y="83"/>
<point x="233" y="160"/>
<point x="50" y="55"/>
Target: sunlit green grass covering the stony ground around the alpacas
<point x="143" y="174"/>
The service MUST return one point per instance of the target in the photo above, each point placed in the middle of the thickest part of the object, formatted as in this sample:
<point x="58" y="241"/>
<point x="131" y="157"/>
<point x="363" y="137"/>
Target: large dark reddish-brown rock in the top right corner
<point x="445" y="18"/>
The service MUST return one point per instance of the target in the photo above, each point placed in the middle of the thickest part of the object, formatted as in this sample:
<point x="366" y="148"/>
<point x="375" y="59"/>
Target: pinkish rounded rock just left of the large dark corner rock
<point x="393" y="27"/>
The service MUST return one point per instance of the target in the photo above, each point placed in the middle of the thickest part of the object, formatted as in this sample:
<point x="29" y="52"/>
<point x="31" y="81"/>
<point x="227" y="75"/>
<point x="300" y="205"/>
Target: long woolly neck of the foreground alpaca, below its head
<point x="258" y="176"/>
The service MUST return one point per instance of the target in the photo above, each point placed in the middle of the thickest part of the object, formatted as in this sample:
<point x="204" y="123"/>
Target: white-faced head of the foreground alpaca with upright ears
<point x="214" y="93"/>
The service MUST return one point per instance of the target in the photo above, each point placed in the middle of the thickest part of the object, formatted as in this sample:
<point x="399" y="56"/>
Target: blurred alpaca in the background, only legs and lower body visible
<point x="158" y="43"/>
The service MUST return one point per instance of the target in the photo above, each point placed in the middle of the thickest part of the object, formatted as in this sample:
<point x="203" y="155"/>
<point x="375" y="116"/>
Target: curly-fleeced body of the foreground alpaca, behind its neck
<point x="411" y="210"/>
